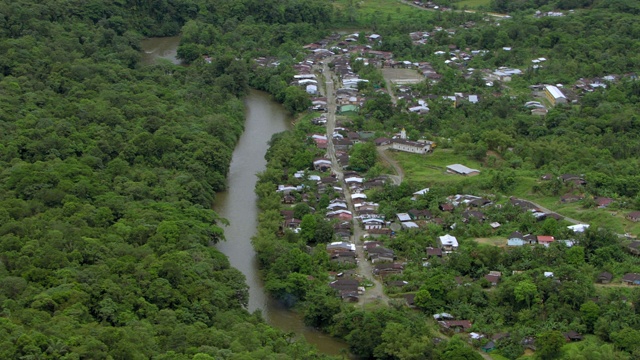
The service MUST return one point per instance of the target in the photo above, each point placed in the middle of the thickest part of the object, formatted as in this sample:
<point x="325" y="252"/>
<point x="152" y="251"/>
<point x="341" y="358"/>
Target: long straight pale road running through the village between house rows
<point x="365" y="268"/>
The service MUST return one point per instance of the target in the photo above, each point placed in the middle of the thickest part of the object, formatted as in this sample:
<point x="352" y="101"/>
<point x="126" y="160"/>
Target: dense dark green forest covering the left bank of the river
<point x="108" y="173"/>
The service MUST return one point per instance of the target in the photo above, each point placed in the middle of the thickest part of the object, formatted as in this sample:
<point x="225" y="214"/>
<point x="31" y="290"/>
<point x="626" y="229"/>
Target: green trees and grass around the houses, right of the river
<point x="521" y="147"/>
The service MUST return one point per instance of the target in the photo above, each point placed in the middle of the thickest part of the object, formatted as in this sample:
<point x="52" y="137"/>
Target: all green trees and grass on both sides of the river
<point x="109" y="170"/>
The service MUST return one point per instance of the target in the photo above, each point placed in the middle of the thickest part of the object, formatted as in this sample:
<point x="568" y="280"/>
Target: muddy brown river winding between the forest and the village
<point x="264" y="117"/>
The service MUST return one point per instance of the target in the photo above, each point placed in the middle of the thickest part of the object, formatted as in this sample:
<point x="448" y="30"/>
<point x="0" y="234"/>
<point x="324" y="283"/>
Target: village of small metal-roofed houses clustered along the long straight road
<point x="364" y="267"/>
